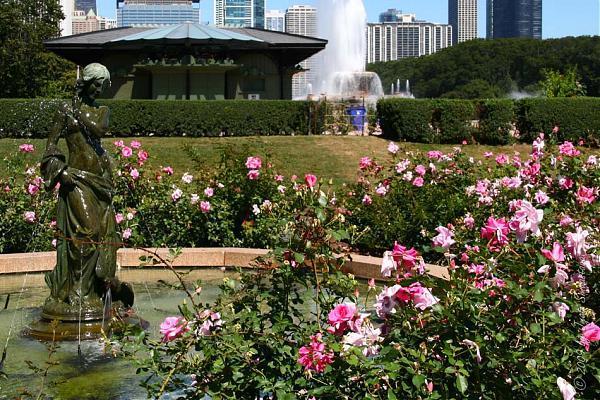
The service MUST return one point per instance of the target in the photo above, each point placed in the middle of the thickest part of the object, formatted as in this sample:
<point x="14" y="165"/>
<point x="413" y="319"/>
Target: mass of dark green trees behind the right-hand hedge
<point x="492" y="68"/>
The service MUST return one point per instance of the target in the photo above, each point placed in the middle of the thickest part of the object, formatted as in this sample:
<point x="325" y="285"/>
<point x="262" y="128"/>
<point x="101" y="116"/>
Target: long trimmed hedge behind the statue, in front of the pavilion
<point x="32" y="117"/>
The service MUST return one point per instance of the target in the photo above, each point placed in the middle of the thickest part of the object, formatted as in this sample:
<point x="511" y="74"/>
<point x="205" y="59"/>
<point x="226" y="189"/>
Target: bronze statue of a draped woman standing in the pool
<point x="87" y="239"/>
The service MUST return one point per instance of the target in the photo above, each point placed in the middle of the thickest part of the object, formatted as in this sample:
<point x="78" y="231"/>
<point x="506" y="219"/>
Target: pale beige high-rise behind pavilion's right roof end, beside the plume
<point x="302" y="20"/>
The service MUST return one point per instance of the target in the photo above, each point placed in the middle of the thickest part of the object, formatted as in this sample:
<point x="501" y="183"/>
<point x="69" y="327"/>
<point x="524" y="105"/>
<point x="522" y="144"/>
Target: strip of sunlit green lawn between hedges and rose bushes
<point x="334" y="157"/>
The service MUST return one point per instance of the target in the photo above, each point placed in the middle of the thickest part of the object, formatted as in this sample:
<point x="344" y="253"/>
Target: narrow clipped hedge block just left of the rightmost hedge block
<point x="495" y="121"/>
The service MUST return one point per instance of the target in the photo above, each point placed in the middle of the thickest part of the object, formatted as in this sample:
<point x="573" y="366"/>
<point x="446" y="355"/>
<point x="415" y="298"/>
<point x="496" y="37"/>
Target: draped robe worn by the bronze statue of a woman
<point x="87" y="243"/>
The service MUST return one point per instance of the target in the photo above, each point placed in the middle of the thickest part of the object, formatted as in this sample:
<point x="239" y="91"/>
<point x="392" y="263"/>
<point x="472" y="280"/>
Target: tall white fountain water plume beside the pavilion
<point x="341" y="66"/>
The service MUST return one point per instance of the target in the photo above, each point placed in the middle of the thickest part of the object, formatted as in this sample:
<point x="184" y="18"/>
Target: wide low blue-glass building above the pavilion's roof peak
<point x="156" y="12"/>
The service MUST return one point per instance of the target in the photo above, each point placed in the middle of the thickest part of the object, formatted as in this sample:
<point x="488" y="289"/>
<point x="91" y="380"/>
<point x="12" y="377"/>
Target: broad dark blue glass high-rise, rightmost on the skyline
<point x="514" y="18"/>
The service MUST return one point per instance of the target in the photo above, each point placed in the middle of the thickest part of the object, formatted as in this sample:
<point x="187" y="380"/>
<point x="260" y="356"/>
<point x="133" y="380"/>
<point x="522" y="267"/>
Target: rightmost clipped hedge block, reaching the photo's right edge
<point x="576" y="118"/>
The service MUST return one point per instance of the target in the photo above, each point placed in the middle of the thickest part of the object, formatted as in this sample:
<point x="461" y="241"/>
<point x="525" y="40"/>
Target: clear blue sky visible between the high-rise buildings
<point x="560" y="17"/>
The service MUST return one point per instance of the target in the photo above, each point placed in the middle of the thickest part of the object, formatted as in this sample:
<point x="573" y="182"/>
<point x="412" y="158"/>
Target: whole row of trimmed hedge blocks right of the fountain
<point x="449" y="121"/>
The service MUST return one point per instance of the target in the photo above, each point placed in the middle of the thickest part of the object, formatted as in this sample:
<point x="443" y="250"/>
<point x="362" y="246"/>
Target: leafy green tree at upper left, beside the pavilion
<point x="26" y="69"/>
